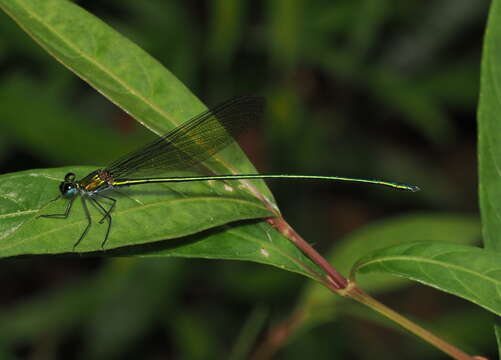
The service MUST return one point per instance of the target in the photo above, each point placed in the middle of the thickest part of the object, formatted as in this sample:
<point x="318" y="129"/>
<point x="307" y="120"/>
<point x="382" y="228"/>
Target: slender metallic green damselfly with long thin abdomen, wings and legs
<point x="183" y="148"/>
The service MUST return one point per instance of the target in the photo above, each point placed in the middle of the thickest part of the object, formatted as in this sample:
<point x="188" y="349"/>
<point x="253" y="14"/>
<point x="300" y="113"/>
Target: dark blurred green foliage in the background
<point x="372" y="88"/>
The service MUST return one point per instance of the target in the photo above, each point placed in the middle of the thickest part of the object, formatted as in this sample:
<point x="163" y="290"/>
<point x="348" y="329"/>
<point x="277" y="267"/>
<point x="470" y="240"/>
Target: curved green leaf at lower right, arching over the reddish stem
<point x="468" y="272"/>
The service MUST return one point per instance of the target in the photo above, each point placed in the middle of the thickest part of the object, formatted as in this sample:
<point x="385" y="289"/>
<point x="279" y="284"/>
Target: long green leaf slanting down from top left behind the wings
<point x="118" y="69"/>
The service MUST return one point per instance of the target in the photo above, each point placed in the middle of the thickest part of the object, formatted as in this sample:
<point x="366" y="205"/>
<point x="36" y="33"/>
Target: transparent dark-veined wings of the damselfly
<point x="190" y="144"/>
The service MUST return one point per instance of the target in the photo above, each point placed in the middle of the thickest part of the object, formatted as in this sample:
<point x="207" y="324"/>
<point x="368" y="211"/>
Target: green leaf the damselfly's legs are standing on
<point x="152" y="213"/>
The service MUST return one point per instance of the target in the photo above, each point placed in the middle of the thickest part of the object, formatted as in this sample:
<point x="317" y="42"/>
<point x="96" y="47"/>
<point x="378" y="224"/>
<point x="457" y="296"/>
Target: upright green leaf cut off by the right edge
<point x="489" y="128"/>
